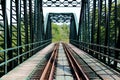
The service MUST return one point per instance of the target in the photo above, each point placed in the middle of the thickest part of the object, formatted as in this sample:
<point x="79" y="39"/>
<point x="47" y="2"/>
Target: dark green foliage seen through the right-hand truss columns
<point x="112" y="26"/>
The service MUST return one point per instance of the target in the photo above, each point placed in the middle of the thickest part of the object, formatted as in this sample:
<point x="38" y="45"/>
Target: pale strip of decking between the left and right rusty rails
<point x="63" y="69"/>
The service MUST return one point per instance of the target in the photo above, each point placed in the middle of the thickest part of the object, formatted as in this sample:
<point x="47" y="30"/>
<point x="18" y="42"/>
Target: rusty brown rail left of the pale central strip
<point x="49" y="69"/>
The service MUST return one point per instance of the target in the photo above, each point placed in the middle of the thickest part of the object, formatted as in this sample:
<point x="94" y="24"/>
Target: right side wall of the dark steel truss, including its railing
<point x="99" y="31"/>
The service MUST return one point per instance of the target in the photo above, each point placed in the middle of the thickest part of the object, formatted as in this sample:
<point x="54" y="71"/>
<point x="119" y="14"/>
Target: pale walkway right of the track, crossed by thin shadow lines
<point x="101" y="69"/>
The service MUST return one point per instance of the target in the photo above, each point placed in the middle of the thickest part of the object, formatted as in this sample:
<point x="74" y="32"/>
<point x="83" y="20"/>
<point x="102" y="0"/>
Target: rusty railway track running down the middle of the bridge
<point x="49" y="71"/>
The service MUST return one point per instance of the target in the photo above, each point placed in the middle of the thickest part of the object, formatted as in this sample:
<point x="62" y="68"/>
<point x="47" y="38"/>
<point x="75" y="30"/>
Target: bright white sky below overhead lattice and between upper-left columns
<point x="75" y="10"/>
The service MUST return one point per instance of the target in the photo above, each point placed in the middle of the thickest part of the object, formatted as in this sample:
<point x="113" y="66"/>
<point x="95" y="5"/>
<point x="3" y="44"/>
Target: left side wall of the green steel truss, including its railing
<point x="21" y="33"/>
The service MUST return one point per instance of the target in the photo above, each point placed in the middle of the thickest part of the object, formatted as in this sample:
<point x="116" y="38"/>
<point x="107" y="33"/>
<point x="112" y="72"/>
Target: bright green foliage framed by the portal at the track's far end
<point x="60" y="33"/>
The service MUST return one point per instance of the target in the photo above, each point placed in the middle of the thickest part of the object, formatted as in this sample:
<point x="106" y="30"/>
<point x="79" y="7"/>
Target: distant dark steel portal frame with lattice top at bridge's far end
<point x="61" y="17"/>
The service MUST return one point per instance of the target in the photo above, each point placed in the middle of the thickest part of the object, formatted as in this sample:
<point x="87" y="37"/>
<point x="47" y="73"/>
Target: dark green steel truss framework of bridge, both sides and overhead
<point x="23" y="30"/>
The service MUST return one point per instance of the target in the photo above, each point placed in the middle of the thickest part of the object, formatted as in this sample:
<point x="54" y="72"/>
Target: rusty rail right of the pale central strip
<point x="79" y="73"/>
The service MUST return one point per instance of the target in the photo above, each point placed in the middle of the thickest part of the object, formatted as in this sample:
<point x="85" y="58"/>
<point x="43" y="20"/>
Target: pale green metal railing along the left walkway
<point x="32" y="50"/>
